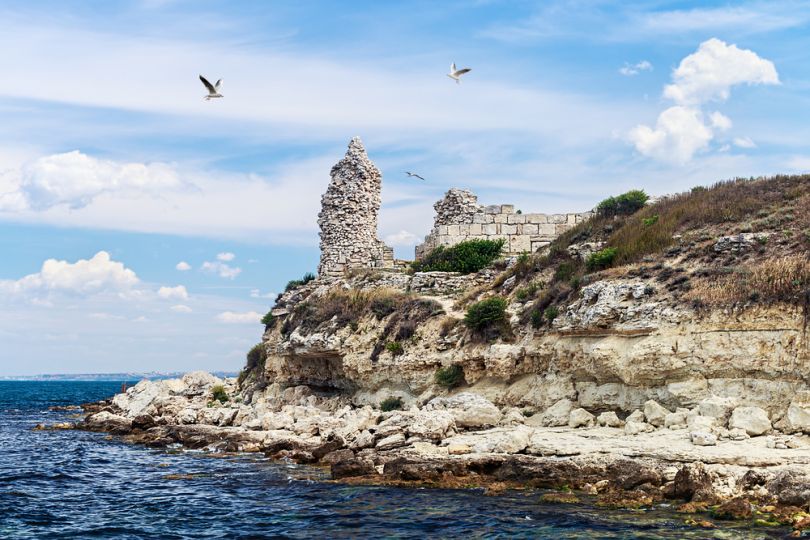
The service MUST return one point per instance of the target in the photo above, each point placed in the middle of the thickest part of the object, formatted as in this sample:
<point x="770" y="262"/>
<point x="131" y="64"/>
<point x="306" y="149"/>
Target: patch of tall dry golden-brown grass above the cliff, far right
<point x="783" y="279"/>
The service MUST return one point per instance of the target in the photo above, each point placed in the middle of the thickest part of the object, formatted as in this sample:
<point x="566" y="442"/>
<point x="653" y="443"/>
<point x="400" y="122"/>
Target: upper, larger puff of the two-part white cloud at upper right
<point x="709" y="73"/>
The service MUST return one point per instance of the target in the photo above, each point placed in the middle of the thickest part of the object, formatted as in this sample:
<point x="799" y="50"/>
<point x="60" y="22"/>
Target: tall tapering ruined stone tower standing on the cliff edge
<point x="348" y="217"/>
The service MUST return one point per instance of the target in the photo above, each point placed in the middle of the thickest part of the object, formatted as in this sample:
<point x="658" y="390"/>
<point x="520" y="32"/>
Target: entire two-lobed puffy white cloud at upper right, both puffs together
<point x="705" y="75"/>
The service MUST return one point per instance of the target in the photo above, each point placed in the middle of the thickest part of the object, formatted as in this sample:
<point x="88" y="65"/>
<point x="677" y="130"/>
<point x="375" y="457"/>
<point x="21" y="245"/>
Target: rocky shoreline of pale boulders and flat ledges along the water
<point x="463" y="440"/>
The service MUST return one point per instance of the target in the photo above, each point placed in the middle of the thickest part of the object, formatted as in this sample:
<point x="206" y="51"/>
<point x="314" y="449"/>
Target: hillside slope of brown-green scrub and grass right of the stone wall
<point x="672" y="242"/>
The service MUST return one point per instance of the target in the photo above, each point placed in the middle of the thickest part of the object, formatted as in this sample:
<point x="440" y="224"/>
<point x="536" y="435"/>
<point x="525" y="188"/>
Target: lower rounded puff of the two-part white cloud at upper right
<point x="678" y="134"/>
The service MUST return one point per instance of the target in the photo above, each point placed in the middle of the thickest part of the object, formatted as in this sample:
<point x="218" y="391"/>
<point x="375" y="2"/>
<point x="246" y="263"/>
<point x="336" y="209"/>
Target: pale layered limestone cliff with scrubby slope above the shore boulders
<point x="653" y="329"/>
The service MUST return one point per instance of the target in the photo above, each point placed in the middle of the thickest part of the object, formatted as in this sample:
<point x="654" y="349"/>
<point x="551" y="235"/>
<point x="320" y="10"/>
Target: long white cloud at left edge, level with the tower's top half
<point x="74" y="180"/>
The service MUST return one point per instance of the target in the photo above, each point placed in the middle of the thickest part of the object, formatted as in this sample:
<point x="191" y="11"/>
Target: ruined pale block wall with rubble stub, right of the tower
<point x="459" y="217"/>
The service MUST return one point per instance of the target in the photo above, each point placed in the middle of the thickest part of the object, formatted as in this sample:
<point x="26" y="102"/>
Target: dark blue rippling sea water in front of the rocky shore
<point x="71" y="484"/>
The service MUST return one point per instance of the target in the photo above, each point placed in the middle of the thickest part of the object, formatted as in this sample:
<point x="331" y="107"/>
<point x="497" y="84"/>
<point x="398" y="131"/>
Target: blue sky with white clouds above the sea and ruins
<point x="144" y="228"/>
